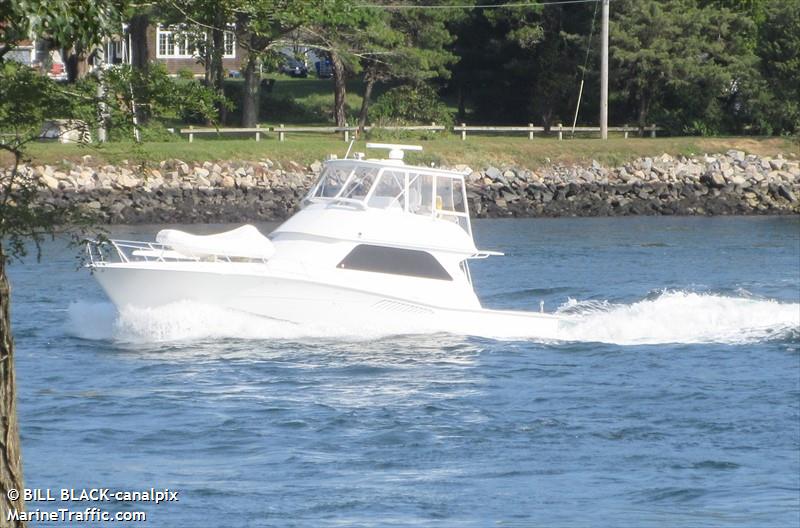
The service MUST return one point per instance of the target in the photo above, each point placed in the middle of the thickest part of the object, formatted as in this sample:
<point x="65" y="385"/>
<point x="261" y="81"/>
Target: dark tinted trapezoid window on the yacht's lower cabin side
<point x="395" y="261"/>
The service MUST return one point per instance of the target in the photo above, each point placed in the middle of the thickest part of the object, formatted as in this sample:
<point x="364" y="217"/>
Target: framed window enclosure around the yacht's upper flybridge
<point x="401" y="189"/>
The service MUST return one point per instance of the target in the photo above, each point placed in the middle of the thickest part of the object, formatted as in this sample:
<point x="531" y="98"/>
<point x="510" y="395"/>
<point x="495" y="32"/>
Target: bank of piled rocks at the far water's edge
<point x="172" y="191"/>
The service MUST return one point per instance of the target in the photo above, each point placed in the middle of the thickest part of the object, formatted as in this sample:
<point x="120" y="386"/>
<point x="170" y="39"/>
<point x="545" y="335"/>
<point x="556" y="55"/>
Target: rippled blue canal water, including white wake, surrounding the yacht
<point x="676" y="401"/>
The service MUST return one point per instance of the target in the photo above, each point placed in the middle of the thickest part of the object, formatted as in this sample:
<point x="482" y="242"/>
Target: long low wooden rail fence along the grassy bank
<point x="281" y="131"/>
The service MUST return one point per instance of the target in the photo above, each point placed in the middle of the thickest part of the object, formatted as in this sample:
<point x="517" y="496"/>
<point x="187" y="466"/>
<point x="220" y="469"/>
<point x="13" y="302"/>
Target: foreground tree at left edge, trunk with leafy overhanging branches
<point x="26" y="100"/>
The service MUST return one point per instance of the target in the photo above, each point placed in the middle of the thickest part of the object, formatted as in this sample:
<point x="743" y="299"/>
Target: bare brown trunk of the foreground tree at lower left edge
<point x="10" y="456"/>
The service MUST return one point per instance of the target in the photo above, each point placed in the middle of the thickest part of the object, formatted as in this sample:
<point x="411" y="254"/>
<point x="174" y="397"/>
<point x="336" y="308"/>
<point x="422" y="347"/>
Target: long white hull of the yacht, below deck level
<point x="304" y="301"/>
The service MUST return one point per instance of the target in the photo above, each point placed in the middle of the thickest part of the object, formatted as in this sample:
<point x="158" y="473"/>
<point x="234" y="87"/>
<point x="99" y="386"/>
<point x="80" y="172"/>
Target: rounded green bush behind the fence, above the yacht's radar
<point x="411" y="105"/>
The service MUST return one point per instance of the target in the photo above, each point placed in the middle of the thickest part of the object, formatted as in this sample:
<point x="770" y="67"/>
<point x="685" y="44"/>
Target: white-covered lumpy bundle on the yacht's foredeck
<point x="242" y="242"/>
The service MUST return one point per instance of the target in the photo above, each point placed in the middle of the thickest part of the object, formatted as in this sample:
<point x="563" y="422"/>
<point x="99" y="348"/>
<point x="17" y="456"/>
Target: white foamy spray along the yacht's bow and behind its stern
<point x="668" y="317"/>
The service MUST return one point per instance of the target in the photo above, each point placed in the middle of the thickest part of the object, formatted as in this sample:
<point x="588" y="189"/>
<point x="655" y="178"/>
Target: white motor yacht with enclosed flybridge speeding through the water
<point x="375" y="242"/>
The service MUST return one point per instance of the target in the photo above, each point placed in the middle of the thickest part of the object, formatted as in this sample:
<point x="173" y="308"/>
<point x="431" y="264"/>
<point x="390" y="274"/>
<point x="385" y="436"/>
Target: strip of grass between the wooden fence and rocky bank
<point x="477" y="151"/>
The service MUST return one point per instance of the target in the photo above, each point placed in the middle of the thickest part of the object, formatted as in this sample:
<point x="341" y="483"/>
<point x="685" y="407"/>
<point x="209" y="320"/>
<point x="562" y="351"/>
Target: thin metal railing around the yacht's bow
<point x="102" y="251"/>
